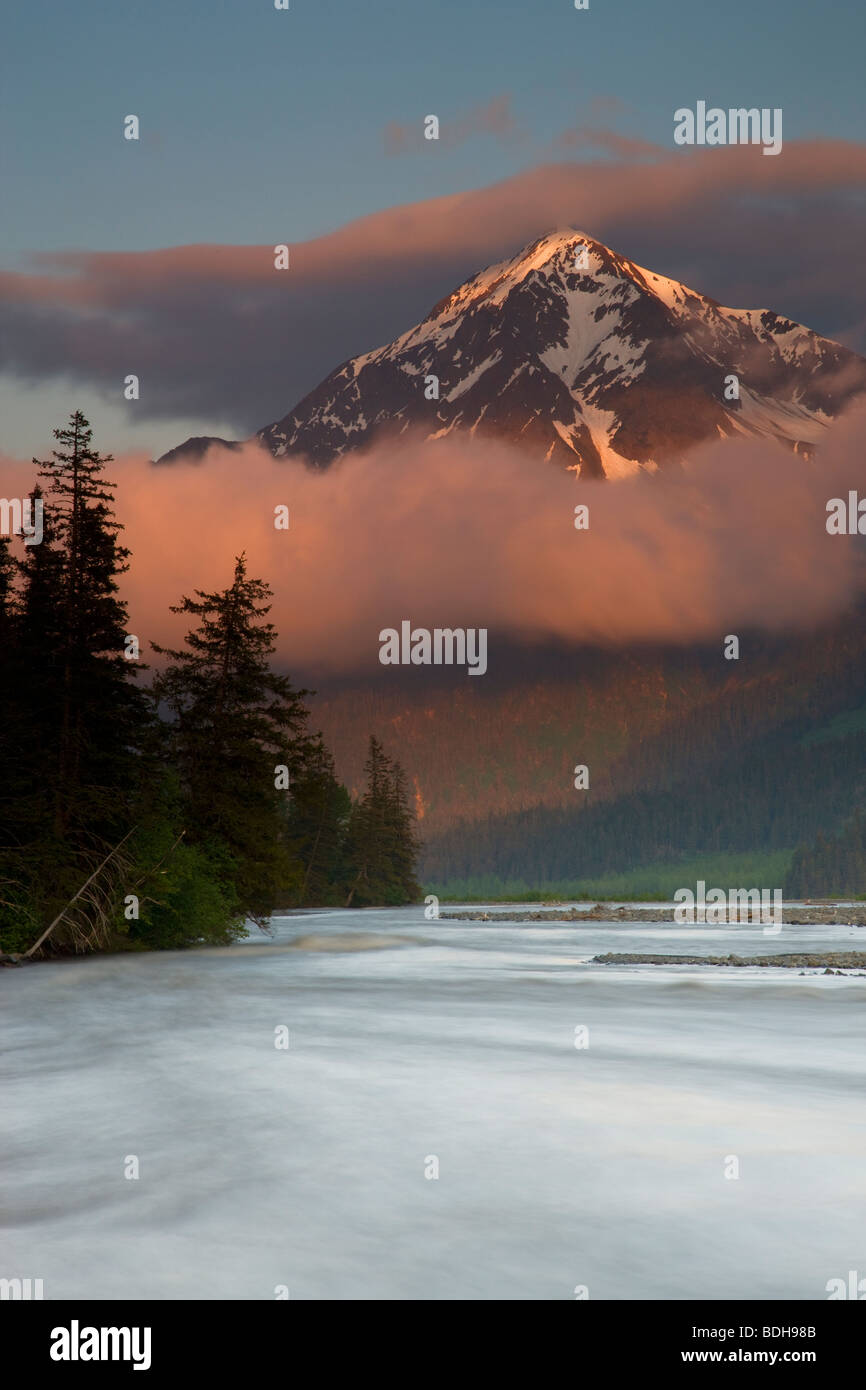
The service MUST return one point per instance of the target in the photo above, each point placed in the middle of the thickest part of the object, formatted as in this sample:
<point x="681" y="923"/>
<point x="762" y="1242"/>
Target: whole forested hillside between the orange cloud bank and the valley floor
<point x="687" y="755"/>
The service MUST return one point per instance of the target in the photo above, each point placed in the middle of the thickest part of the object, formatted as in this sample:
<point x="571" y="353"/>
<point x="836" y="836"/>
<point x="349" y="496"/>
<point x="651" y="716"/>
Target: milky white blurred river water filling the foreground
<point x="559" y="1167"/>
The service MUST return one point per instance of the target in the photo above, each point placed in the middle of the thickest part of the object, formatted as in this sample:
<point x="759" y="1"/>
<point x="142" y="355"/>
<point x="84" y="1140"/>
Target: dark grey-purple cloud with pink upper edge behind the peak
<point x="216" y="333"/>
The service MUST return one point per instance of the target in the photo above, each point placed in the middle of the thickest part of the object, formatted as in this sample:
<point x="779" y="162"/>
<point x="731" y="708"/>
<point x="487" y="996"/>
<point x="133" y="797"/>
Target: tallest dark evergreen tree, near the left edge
<point x="79" y="718"/>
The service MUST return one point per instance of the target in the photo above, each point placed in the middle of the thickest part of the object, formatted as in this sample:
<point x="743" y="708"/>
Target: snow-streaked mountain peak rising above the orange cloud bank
<point x="585" y="358"/>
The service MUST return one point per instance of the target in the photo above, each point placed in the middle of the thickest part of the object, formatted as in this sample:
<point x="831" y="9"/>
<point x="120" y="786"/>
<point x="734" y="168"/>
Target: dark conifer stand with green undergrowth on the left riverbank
<point x="162" y="808"/>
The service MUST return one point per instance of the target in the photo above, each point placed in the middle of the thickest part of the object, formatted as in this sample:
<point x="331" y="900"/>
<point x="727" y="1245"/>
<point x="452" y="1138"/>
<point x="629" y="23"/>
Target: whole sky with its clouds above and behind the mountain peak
<point x="302" y="127"/>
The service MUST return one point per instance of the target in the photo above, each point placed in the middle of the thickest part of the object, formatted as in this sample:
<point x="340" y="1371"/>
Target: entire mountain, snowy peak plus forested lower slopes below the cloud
<point x="604" y="368"/>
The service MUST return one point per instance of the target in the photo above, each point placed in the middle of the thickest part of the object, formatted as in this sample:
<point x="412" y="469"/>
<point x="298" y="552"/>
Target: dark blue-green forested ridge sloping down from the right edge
<point x="758" y="765"/>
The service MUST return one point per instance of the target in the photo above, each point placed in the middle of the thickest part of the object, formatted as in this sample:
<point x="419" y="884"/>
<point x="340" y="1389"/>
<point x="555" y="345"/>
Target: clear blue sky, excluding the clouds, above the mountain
<point x="263" y="126"/>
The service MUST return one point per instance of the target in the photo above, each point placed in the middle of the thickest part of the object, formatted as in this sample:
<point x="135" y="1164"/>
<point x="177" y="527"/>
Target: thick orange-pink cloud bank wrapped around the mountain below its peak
<point x="477" y="534"/>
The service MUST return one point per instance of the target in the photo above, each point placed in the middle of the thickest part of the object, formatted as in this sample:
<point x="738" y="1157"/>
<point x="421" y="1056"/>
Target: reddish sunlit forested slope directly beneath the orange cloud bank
<point x="639" y="718"/>
